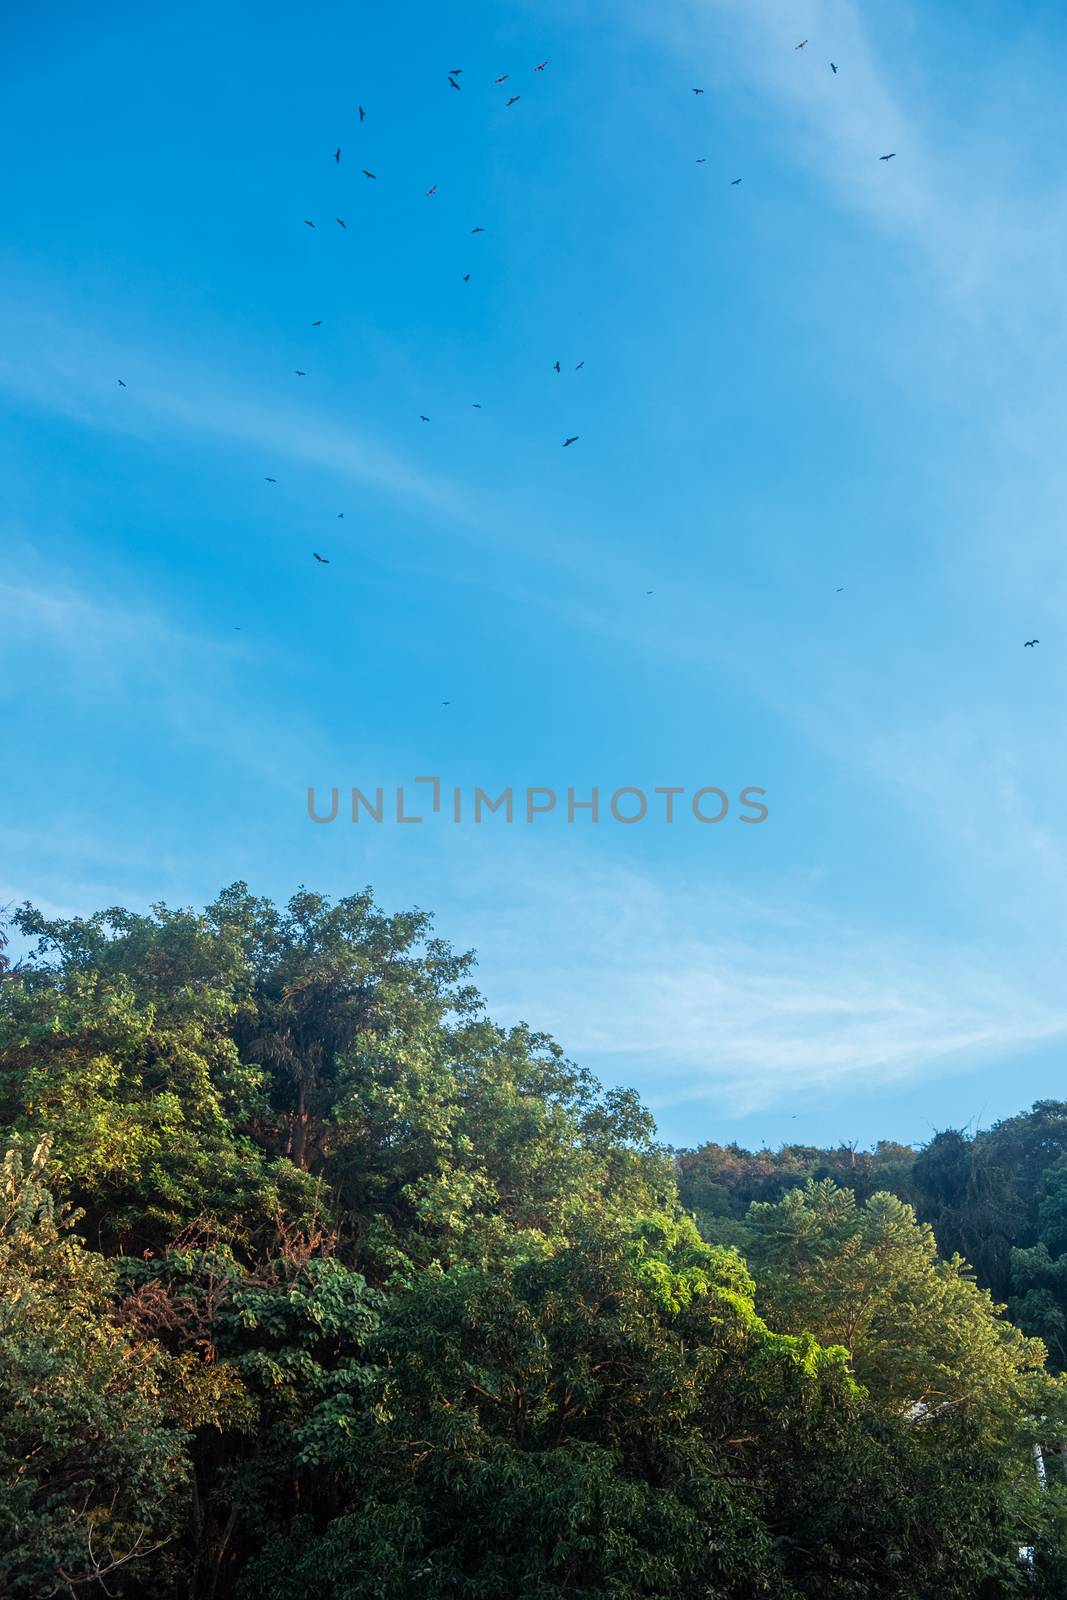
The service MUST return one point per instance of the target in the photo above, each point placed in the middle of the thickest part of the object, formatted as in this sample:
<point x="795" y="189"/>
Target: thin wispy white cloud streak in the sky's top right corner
<point x="953" y="191"/>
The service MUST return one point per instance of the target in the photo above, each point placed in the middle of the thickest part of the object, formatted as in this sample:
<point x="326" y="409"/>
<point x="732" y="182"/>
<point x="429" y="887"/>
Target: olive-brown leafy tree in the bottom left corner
<point x="94" y="1457"/>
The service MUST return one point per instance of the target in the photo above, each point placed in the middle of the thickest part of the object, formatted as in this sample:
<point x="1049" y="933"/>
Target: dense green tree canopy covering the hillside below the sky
<point x="316" y="1281"/>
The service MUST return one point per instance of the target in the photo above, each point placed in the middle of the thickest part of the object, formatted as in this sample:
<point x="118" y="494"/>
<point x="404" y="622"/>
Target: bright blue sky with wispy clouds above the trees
<point x="842" y="374"/>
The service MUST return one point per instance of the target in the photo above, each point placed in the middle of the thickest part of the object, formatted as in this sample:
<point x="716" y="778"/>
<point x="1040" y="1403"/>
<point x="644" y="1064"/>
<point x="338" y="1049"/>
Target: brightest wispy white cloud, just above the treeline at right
<point x="721" y="999"/>
